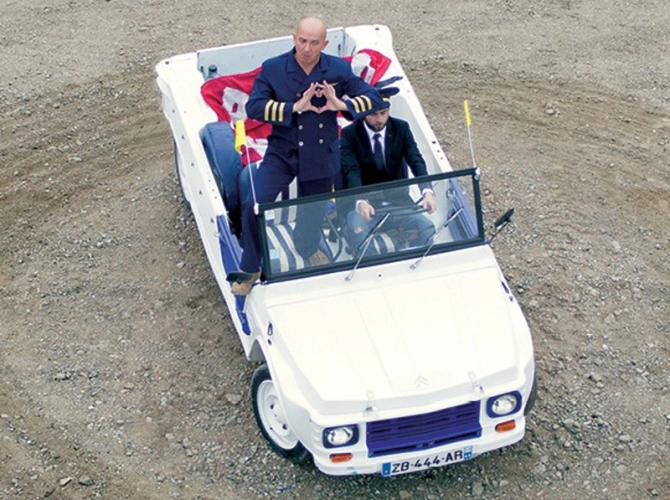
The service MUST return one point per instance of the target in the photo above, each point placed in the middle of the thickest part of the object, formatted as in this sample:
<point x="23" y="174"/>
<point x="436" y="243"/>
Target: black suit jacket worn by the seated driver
<point x="400" y="151"/>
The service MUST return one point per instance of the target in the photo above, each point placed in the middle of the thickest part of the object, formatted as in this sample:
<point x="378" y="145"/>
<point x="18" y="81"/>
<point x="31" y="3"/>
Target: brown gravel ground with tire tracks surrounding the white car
<point x="121" y="376"/>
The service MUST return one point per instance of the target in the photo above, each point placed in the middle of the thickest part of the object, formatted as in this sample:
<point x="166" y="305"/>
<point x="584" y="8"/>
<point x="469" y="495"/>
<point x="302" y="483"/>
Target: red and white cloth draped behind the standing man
<point x="227" y="96"/>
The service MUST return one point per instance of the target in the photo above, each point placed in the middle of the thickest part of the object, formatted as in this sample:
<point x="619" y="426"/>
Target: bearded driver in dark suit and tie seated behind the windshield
<point x="379" y="148"/>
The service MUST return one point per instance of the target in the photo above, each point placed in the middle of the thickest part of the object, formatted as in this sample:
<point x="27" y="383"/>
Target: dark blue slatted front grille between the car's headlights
<point x="422" y="432"/>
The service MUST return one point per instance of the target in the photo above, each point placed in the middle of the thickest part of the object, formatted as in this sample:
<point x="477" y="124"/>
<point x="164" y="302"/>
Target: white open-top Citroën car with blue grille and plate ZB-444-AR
<point x="391" y="358"/>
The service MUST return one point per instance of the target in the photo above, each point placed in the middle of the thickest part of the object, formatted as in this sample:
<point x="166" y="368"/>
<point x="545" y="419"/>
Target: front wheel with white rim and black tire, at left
<point x="271" y="419"/>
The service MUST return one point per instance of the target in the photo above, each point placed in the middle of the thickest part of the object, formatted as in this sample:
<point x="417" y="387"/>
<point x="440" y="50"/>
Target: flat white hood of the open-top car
<point x="392" y="344"/>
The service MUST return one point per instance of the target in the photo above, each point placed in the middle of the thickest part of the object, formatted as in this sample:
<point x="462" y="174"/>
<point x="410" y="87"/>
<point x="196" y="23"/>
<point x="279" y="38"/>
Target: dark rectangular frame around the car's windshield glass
<point x="470" y="175"/>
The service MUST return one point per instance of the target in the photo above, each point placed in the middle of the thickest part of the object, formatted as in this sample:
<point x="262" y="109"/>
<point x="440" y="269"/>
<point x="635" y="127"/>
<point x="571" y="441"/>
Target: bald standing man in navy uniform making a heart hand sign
<point x="299" y="93"/>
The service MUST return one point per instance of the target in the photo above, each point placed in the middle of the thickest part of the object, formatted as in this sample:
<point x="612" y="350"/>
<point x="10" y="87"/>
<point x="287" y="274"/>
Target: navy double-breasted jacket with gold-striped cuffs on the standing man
<point x="306" y="144"/>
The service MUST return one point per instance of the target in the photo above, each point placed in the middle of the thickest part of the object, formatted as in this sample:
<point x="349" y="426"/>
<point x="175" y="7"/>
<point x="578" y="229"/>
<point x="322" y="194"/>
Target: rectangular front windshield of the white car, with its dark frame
<point x="337" y="231"/>
